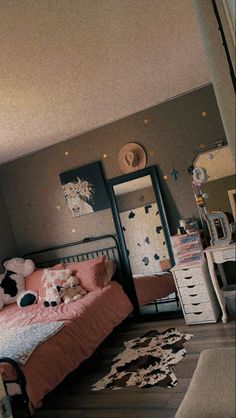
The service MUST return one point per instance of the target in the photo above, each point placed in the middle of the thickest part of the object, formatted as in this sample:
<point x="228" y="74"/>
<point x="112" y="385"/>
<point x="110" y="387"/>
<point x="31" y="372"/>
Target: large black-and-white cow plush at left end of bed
<point x="12" y="282"/>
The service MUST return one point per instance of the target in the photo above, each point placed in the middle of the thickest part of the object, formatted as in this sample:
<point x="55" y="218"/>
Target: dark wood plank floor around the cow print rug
<point x="74" y="398"/>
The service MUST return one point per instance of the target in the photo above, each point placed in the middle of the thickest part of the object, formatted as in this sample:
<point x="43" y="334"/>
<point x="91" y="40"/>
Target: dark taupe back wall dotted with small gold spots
<point x="169" y="132"/>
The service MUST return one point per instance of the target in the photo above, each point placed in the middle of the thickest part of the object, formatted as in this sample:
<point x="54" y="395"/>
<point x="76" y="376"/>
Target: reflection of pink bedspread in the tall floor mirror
<point x="152" y="287"/>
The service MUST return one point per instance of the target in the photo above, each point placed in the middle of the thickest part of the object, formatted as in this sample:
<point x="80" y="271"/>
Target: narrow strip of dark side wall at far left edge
<point x="7" y="240"/>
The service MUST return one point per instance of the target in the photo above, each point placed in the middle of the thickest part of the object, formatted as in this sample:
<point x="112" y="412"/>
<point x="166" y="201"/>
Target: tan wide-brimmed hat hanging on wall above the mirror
<point x="132" y="157"/>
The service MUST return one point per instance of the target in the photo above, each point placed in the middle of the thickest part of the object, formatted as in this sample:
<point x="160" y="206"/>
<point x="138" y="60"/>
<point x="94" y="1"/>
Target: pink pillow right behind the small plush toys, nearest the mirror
<point x="90" y="272"/>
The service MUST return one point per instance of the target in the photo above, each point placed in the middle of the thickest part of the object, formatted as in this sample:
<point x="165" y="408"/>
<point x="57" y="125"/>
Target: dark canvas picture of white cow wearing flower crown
<point x="84" y="189"/>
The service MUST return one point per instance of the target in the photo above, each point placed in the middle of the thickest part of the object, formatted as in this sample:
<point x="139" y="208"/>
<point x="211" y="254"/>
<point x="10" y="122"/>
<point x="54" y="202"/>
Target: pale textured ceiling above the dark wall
<point x="68" y="66"/>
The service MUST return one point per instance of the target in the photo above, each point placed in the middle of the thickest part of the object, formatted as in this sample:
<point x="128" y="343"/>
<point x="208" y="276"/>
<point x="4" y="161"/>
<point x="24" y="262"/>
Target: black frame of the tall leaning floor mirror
<point x="152" y="171"/>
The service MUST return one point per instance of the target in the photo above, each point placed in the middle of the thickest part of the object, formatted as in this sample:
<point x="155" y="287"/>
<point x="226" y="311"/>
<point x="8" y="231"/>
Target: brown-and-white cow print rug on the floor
<point x="146" y="361"/>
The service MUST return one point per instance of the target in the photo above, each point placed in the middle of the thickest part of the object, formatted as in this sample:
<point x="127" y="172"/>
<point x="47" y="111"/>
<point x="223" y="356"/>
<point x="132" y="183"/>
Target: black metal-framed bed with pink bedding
<point x="86" y="323"/>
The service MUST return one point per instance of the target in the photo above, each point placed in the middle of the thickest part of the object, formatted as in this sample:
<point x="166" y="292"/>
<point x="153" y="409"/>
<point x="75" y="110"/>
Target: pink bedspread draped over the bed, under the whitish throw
<point x="87" y="322"/>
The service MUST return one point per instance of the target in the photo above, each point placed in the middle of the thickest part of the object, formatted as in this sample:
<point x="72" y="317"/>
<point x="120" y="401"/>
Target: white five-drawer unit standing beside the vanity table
<point x="196" y="293"/>
